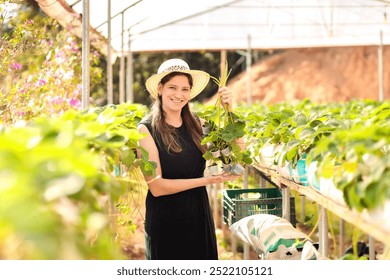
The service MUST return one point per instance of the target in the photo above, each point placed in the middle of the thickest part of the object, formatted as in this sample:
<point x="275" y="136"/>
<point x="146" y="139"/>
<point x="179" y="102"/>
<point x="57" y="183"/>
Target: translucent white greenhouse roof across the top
<point x="220" y="24"/>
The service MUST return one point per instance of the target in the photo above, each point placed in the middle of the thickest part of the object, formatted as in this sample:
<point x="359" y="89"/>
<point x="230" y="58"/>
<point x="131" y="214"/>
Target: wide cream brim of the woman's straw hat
<point x="200" y="81"/>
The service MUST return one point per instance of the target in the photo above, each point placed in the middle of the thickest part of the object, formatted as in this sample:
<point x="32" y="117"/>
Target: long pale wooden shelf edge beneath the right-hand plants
<point x="353" y="217"/>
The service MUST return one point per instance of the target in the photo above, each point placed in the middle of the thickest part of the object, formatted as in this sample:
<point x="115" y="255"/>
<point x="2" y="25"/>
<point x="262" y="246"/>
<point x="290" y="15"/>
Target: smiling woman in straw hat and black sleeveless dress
<point x="179" y="224"/>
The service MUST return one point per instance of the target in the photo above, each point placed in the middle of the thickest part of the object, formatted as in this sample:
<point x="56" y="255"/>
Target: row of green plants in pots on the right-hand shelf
<point x="346" y="145"/>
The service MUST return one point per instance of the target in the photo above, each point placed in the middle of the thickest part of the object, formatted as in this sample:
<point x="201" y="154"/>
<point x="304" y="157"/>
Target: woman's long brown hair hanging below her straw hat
<point x="167" y="132"/>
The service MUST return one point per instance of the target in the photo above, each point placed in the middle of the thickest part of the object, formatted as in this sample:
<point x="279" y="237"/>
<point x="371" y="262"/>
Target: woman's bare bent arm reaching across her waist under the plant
<point x="159" y="186"/>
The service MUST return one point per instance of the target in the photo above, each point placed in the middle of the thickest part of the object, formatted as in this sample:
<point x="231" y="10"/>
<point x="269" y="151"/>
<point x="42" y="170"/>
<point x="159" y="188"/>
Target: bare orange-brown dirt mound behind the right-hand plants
<point x="320" y="74"/>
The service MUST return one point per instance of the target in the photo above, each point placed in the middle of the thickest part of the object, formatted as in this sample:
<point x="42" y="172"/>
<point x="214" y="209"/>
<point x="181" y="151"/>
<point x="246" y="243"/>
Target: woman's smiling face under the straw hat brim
<point x="175" y="93"/>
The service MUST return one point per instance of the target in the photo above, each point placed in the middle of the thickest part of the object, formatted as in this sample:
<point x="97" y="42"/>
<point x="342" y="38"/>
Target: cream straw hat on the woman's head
<point x="200" y="78"/>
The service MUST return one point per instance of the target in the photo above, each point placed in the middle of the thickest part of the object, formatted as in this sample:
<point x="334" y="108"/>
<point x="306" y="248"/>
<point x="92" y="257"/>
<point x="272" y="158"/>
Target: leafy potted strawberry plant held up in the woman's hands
<point x="221" y="130"/>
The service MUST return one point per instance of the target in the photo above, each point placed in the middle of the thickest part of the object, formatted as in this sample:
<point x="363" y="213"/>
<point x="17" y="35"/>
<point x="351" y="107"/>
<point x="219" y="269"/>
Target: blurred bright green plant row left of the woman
<point x="58" y="177"/>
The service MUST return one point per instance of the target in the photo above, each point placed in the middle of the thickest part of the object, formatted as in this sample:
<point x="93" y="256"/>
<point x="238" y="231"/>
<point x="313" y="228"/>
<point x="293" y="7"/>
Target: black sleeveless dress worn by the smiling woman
<point x="180" y="226"/>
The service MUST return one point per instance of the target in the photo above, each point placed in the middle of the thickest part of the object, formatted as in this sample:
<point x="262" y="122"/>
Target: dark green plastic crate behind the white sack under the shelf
<point x="240" y="203"/>
